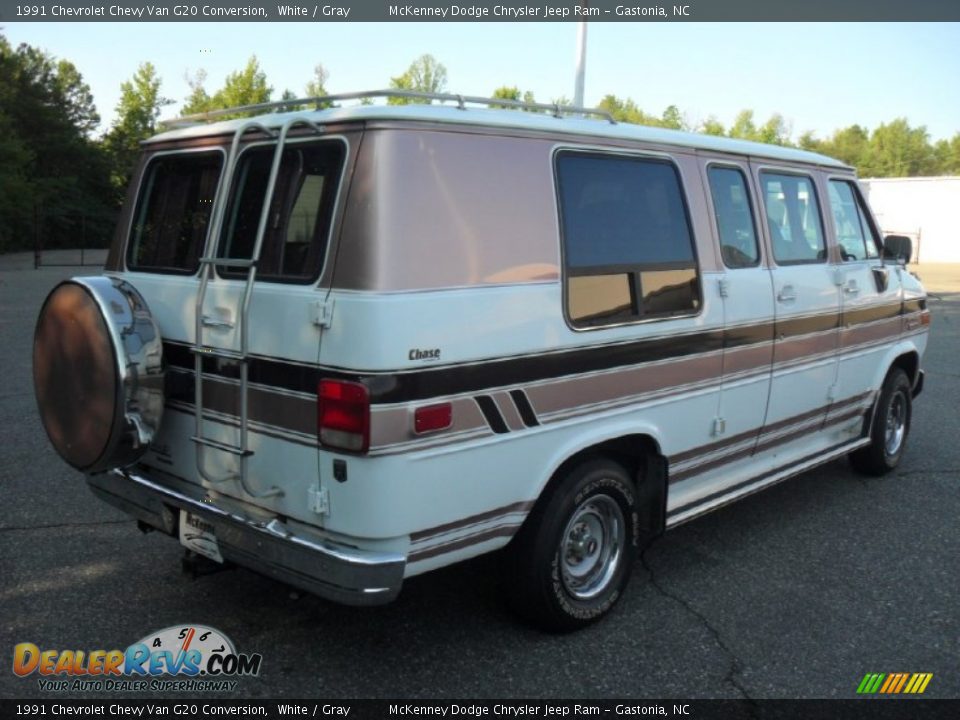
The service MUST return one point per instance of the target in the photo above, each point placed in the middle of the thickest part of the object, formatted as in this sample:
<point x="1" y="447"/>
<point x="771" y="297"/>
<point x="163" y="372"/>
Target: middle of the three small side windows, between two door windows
<point x="793" y="216"/>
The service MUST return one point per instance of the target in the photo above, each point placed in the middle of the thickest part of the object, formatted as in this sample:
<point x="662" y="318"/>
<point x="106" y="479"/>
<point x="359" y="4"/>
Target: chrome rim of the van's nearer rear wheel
<point x="591" y="547"/>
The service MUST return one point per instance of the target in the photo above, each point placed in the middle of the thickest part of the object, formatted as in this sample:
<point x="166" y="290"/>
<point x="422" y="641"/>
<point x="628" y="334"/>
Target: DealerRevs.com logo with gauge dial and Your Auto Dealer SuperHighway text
<point x="187" y="658"/>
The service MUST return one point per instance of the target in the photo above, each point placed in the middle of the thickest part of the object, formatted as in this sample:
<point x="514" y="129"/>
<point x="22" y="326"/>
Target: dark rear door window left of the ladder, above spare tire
<point x="173" y="212"/>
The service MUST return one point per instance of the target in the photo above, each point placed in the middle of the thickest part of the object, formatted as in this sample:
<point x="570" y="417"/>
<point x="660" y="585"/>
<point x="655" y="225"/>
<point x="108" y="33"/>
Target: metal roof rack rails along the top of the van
<point x="321" y="101"/>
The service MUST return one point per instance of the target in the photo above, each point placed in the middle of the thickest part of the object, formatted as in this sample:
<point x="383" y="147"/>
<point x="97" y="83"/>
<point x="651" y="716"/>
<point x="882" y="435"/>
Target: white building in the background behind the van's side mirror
<point x="926" y="209"/>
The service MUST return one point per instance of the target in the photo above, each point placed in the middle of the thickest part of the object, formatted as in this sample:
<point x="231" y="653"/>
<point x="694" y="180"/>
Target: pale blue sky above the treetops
<point x="819" y="76"/>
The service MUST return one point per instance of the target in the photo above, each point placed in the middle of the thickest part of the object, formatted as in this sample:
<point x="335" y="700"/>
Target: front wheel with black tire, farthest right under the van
<point x="891" y="426"/>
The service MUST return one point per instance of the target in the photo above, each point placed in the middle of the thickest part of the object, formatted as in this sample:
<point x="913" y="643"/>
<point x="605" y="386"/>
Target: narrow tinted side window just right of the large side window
<point x="731" y="204"/>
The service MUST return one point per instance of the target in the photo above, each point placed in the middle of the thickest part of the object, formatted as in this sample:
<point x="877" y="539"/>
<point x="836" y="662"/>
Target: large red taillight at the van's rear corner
<point x="343" y="414"/>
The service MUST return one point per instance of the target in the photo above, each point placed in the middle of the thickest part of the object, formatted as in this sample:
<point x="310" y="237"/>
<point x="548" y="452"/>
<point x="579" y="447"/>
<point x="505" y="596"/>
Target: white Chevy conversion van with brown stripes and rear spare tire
<point x="347" y="346"/>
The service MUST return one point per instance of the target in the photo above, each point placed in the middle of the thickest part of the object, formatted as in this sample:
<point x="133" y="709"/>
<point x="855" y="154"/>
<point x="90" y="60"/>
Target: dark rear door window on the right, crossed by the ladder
<point x="301" y="210"/>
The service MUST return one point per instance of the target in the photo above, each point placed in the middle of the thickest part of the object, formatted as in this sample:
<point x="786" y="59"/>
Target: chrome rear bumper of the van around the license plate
<point x="331" y="570"/>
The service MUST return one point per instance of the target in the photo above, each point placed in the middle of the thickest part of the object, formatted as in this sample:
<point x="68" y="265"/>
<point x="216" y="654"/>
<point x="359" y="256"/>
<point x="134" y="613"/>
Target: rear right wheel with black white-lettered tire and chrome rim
<point x="572" y="558"/>
